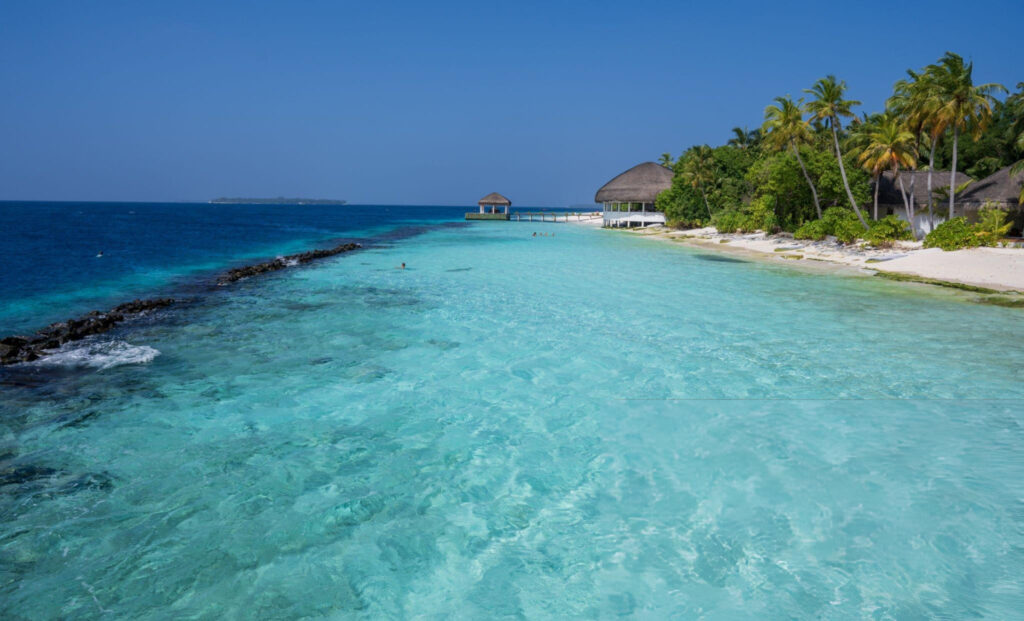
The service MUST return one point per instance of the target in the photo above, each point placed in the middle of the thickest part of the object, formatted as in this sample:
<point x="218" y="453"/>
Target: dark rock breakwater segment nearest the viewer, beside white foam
<point x="27" y="349"/>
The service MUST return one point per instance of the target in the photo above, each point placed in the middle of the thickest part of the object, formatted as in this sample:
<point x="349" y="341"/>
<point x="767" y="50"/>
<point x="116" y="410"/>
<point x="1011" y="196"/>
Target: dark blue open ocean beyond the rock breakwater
<point x="52" y="270"/>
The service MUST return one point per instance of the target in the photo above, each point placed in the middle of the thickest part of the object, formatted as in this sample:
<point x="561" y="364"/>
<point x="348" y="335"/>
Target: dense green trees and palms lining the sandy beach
<point x="813" y="169"/>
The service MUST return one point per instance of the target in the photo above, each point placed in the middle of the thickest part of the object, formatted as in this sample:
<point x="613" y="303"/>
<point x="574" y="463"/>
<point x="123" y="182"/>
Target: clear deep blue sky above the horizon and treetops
<point x="429" y="103"/>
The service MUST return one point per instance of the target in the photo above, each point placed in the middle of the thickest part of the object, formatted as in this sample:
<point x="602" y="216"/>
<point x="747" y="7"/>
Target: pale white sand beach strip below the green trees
<point x="993" y="271"/>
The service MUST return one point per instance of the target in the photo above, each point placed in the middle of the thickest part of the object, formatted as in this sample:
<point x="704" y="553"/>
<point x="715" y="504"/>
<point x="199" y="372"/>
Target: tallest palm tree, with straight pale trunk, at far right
<point x="960" y="104"/>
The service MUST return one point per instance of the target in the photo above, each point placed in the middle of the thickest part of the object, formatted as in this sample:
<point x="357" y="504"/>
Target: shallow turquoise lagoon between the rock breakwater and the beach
<point x="586" y="426"/>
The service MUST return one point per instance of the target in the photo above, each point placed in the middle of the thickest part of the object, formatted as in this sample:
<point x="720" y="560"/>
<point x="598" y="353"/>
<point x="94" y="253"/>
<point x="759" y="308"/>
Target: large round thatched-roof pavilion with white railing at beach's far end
<point x="628" y="200"/>
